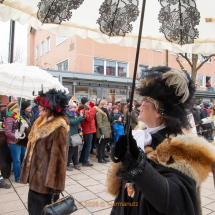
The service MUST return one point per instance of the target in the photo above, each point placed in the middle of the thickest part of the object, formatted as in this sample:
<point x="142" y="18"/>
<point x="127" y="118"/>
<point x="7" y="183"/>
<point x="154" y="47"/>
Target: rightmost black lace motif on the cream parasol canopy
<point x="179" y="19"/>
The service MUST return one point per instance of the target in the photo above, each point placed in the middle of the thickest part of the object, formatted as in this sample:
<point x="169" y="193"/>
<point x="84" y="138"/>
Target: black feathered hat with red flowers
<point x="54" y="100"/>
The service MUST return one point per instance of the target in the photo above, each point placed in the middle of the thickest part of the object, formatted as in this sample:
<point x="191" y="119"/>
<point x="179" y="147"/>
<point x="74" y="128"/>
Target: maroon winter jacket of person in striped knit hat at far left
<point x="10" y="130"/>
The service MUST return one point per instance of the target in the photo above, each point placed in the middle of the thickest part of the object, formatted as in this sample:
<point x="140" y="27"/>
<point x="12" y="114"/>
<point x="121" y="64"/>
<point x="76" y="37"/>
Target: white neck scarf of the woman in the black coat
<point x="143" y="137"/>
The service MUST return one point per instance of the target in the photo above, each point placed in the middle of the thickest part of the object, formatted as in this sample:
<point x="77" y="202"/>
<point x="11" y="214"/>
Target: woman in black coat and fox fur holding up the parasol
<point x="165" y="168"/>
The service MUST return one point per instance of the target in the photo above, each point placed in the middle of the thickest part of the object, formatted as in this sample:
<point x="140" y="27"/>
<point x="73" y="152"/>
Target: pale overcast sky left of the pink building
<point x="20" y="38"/>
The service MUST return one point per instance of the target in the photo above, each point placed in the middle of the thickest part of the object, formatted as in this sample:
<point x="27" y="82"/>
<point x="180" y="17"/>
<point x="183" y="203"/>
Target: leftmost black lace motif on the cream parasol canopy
<point x="56" y="11"/>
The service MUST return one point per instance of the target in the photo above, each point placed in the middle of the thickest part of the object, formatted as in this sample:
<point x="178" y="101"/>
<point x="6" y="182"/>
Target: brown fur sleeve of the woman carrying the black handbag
<point x="56" y="174"/>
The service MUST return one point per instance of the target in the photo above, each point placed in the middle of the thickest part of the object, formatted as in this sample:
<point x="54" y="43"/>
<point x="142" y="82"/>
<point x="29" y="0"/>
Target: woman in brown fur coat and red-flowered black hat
<point x="44" y="165"/>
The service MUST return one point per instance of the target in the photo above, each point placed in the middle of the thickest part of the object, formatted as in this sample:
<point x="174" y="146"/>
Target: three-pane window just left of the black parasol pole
<point x="109" y="67"/>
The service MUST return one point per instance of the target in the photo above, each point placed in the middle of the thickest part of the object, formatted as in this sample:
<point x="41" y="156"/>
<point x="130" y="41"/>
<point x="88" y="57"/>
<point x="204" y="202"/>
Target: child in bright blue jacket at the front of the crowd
<point x="118" y="127"/>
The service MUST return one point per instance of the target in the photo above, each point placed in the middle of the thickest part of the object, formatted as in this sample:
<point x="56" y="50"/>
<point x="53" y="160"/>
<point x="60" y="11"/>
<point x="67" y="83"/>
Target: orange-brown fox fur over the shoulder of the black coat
<point x="192" y="155"/>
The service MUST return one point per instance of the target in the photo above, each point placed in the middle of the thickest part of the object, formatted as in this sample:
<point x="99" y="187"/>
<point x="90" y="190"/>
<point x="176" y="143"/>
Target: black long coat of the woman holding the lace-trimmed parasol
<point x="172" y="193"/>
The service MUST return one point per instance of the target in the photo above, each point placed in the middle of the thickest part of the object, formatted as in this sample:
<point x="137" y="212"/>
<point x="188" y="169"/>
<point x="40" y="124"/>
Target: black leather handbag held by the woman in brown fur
<point x="64" y="206"/>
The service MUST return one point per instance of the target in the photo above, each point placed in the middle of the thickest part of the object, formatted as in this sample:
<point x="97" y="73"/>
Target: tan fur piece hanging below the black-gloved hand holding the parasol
<point x="113" y="183"/>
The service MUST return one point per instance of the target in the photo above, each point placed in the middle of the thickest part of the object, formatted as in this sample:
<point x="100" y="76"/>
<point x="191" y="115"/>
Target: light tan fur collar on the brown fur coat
<point x="43" y="128"/>
